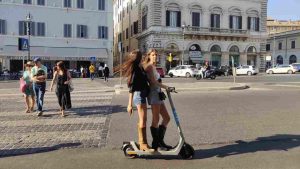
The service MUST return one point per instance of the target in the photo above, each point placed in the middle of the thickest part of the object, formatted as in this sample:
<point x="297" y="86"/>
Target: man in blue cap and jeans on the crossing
<point x="39" y="76"/>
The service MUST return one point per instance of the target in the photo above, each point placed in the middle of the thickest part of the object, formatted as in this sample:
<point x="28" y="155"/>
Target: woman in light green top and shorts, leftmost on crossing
<point x="28" y="92"/>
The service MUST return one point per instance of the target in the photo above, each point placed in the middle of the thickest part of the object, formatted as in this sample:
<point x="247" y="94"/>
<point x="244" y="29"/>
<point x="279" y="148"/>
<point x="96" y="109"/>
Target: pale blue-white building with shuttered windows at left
<point x="75" y="31"/>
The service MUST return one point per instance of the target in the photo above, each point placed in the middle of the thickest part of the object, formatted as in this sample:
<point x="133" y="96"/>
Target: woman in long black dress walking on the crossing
<point x="62" y="78"/>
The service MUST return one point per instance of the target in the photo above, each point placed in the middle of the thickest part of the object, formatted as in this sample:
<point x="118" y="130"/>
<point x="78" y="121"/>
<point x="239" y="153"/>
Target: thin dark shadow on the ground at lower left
<point x="26" y="151"/>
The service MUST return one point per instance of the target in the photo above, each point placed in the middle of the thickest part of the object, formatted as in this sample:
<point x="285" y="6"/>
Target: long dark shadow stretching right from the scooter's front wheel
<point x="272" y="143"/>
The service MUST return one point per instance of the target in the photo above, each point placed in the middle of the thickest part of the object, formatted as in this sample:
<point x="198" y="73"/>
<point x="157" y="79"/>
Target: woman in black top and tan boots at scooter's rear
<point x="138" y="91"/>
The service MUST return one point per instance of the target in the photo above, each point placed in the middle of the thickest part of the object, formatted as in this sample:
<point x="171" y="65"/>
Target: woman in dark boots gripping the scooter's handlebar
<point x="156" y="100"/>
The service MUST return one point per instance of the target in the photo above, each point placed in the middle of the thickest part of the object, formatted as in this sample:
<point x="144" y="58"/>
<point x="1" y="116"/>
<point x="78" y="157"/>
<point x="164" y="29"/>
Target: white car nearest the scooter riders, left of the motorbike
<point x="183" y="71"/>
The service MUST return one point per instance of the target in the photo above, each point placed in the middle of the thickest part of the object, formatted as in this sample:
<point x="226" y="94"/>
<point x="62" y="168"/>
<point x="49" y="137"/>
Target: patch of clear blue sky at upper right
<point x="284" y="9"/>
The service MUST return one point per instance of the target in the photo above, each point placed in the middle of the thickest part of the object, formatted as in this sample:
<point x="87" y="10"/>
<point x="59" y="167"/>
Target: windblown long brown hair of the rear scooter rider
<point x="133" y="60"/>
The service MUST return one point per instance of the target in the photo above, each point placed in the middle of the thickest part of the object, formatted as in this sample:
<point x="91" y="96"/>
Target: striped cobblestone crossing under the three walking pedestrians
<point x="86" y="125"/>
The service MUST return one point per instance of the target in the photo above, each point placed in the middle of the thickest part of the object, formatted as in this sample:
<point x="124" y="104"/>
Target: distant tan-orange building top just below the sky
<point x="278" y="26"/>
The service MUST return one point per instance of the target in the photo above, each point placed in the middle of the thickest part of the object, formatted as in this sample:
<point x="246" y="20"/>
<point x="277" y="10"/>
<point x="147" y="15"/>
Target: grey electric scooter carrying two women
<point x="186" y="151"/>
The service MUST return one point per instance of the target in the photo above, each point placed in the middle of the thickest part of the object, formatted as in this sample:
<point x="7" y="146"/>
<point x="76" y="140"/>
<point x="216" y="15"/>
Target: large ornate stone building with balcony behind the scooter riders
<point x="193" y="32"/>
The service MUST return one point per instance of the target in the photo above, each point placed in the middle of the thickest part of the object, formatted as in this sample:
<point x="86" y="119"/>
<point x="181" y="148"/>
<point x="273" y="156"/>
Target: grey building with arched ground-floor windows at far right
<point x="284" y="47"/>
